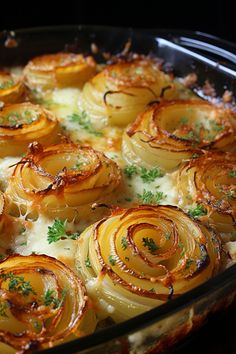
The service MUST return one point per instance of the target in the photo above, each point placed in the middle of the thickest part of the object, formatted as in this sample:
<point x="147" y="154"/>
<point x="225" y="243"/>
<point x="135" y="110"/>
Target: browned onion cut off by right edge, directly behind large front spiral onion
<point x="210" y="180"/>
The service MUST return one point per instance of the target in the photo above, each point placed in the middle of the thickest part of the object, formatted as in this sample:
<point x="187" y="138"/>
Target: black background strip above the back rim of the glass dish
<point x="215" y="17"/>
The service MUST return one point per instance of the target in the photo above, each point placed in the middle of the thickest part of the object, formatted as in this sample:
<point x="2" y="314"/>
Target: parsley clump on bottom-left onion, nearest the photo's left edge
<point x="18" y="284"/>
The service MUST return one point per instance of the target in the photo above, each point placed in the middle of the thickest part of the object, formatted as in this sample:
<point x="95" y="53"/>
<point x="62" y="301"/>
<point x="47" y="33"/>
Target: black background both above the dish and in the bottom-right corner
<point x="214" y="17"/>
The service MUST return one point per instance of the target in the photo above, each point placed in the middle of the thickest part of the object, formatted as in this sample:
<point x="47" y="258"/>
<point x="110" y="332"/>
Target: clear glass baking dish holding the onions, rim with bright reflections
<point x="211" y="58"/>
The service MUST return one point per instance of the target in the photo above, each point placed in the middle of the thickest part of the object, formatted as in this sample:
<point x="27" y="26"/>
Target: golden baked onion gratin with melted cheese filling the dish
<point x="117" y="194"/>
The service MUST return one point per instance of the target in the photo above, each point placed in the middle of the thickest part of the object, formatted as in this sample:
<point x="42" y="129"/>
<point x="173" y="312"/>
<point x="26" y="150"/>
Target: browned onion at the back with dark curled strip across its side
<point x="118" y="93"/>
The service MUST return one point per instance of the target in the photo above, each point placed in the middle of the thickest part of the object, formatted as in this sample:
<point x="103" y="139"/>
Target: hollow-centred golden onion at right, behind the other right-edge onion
<point x="168" y="133"/>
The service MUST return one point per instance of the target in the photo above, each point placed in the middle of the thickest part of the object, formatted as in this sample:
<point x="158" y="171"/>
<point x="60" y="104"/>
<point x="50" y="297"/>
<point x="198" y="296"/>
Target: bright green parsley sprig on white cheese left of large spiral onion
<point x="58" y="232"/>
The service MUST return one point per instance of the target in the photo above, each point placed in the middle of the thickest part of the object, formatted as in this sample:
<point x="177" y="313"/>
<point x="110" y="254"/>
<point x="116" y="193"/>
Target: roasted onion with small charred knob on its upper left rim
<point x="61" y="178"/>
